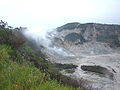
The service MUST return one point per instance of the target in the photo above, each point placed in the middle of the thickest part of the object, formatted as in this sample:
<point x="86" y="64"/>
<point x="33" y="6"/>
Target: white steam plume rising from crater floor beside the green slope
<point x="43" y="37"/>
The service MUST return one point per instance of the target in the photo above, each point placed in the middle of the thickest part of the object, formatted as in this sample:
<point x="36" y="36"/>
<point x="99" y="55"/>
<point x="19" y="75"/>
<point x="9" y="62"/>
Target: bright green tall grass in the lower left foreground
<point x="15" y="76"/>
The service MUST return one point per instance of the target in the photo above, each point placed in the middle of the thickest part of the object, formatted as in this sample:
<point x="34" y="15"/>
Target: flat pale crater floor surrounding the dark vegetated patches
<point x="102" y="82"/>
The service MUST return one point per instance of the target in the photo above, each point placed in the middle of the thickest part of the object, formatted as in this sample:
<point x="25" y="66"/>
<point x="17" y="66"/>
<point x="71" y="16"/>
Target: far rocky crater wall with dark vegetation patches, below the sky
<point x="89" y="38"/>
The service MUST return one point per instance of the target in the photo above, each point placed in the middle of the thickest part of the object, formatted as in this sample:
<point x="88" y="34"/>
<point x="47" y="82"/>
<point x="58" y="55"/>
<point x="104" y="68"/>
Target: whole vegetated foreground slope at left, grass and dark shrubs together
<point x="22" y="68"/>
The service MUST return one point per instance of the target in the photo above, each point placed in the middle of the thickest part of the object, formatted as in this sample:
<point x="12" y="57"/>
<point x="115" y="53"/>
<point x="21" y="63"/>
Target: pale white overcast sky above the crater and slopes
<point x="54" y="13"/>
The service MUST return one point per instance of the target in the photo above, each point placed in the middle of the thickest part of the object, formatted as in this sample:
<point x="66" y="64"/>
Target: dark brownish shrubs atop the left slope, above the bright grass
<point x="11" y="37"/>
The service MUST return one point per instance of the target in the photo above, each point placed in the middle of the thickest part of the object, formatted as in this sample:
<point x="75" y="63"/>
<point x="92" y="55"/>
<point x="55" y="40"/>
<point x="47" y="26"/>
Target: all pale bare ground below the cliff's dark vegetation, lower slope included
<point x="92" y="54"/>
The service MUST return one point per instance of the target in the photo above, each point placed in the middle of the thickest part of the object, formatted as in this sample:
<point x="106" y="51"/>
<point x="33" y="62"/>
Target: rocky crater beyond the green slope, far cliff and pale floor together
<point x="93" y="47"/>
